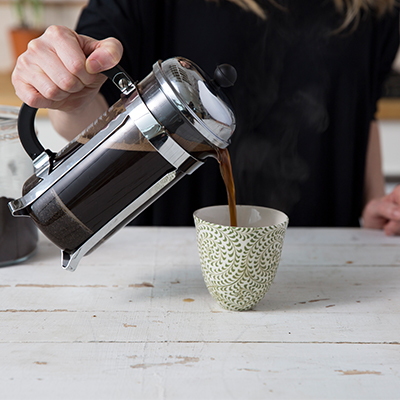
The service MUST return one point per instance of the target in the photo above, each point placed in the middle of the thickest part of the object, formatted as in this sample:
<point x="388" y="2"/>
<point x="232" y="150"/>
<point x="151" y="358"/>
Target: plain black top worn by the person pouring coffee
<point x="304" y="98"/>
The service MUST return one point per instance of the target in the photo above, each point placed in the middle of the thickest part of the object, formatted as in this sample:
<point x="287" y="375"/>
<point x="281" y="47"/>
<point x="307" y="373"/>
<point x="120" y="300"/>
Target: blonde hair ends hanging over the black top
<point x="351" y="9"/>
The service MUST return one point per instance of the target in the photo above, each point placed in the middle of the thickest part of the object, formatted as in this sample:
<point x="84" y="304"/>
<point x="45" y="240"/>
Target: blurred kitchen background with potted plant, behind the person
<point x="23" y="19"/>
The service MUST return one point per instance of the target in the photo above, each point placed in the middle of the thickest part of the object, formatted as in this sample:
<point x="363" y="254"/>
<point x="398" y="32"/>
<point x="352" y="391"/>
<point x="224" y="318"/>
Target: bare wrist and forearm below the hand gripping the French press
<point x="70" y="124"/>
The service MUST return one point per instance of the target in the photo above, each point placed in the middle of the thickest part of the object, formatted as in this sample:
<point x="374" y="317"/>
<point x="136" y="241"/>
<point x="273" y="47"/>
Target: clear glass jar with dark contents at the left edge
<point x="18" y="236"/>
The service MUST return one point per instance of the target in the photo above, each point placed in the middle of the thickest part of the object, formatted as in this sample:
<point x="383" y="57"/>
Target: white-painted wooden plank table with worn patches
<point x="135" y="321"/>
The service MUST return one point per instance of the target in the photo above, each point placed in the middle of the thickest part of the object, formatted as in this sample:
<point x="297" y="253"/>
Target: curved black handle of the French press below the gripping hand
<point x="26" y="131"/>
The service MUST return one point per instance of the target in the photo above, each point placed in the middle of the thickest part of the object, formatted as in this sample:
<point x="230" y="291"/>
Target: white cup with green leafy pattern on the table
<point x="239" y="263"/>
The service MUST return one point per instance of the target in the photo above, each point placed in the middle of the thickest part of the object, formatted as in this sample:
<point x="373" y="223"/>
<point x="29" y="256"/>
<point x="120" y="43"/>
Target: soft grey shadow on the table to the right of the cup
<point x="310" y="288"/>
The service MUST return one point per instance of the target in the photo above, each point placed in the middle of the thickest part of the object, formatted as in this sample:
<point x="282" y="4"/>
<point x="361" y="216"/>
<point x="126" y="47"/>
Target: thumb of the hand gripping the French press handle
<point x="102" y="55"/>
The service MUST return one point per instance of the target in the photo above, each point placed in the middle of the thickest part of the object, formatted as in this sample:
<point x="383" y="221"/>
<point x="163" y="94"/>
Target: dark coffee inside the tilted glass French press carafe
<point x="110" y="178"/>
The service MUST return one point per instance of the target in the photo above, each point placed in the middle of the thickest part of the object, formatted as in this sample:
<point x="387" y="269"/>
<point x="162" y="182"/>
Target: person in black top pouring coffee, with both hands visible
<point x="309" y="77"/>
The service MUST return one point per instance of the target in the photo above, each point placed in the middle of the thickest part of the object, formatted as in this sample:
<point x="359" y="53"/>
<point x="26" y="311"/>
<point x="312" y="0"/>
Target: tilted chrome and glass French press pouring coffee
<point x="160" y="130"/>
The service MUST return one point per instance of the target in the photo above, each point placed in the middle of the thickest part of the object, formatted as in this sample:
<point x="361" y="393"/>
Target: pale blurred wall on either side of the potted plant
<point x="56" y="12"/>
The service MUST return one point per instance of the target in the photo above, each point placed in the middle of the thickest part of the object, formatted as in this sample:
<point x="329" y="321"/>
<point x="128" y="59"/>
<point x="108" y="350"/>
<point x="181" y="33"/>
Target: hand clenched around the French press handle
<point x="60" y="70"/>
